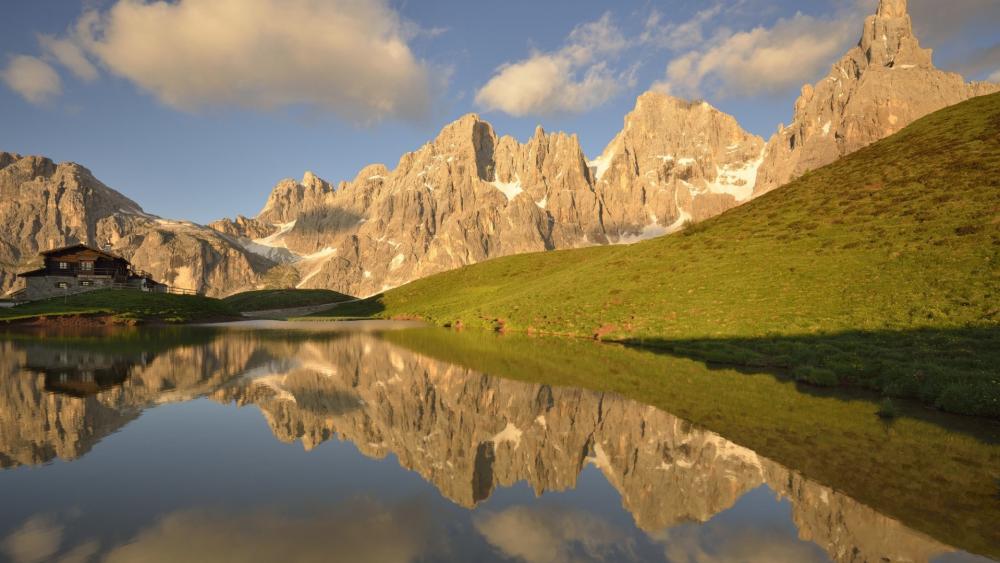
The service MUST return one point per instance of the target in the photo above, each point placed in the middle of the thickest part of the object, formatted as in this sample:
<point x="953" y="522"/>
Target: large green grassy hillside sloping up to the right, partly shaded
<point x="880" y="270"/>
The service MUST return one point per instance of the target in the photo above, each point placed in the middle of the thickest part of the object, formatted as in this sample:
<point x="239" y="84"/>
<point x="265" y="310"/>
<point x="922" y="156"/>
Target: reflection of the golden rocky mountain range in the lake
<point x="464" y="432"/>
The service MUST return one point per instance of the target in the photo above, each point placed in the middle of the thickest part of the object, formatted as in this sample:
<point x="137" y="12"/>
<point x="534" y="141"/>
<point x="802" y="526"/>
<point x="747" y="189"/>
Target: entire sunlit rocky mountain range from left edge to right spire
<point x="471" y="195"/>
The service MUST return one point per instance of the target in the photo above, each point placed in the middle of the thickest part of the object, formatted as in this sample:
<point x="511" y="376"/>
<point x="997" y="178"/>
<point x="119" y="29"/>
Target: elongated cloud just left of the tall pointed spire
<point x="763" y="60"/>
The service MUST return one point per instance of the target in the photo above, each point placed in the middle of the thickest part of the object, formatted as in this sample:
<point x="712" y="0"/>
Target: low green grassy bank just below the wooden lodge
<point x="126" y="305"/>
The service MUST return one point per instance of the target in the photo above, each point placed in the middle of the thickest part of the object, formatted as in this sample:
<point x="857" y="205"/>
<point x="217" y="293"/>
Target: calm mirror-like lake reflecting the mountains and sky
<point x="126" y="447"/>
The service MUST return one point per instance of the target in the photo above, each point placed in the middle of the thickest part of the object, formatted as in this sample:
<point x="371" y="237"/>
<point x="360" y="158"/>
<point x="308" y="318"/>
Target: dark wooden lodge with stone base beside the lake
<point x="79" y="268"/>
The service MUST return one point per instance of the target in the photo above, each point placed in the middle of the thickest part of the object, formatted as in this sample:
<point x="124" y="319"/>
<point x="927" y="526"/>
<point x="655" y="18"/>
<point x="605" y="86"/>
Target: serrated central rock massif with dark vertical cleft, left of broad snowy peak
<point x="464" y="197"/>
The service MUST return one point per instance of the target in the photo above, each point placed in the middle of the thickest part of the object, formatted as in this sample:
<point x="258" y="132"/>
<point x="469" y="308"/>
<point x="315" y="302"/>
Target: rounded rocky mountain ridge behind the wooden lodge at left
<point x="44" y="205"/>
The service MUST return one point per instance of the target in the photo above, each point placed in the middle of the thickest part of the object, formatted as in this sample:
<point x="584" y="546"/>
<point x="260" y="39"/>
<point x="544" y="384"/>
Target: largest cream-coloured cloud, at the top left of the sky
<point x="350" y="57"/>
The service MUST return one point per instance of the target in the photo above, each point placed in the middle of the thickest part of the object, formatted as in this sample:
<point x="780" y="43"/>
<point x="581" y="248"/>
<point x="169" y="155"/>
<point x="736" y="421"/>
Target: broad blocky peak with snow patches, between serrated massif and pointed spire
<point x="674" y="161"/>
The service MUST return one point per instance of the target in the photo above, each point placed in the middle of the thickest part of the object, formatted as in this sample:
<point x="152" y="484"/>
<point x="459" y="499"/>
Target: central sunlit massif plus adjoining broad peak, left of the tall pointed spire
<point x="471" y="195"/>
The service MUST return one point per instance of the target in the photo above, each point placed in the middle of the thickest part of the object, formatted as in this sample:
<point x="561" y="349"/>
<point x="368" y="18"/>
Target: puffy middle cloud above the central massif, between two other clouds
<point x="573" y="79"/>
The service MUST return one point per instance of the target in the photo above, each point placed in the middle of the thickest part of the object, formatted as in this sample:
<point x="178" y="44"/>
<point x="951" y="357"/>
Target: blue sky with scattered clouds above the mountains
<point x="196" y="108"/>
